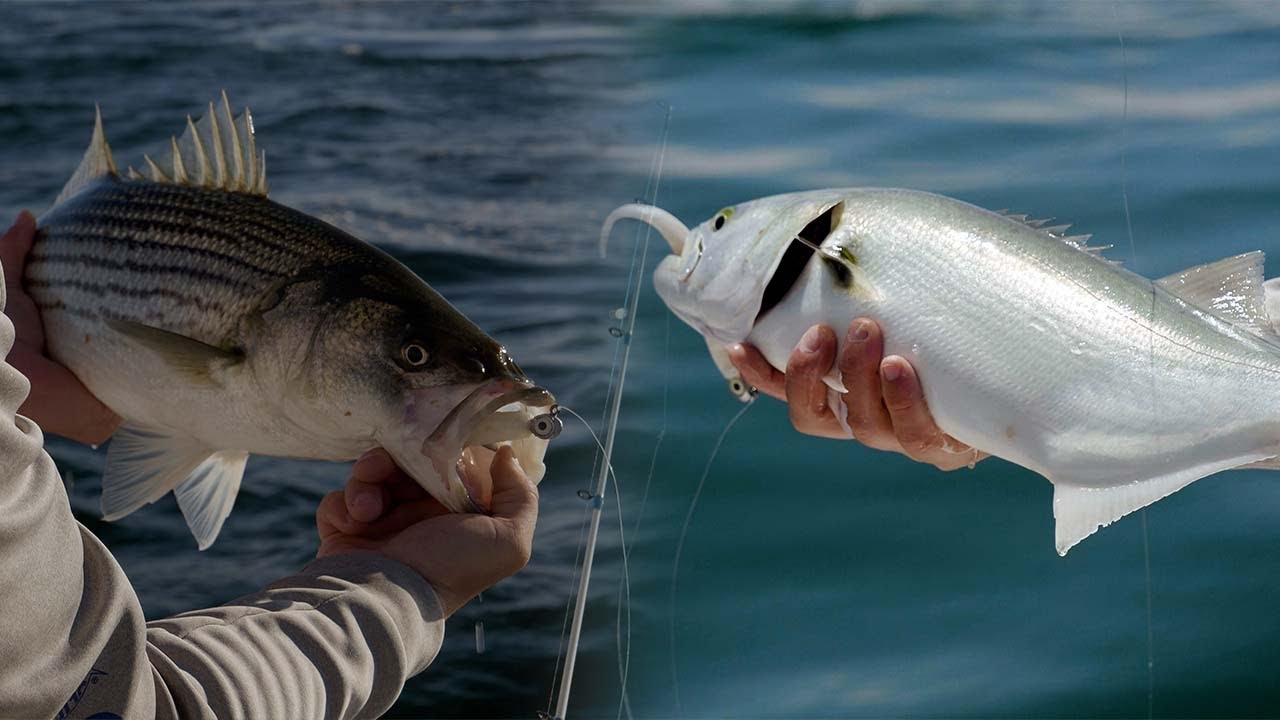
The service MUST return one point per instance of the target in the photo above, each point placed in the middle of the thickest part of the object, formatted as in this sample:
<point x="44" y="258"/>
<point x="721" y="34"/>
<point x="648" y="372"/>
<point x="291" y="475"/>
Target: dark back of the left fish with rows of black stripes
<point x="180" y="258"/>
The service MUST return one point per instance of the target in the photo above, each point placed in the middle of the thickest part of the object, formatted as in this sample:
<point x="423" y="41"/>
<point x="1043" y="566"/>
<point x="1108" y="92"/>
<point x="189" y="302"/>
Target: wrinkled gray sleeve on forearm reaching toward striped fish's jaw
<point x="339" y="640"/>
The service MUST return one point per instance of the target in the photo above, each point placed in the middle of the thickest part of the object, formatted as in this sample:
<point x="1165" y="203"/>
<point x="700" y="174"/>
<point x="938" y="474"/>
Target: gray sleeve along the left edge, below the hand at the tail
<point x="72" y="631"/>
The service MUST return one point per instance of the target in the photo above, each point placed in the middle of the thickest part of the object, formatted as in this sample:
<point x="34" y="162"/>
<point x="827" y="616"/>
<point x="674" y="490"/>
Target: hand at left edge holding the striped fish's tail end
<point x="58" y="402"/>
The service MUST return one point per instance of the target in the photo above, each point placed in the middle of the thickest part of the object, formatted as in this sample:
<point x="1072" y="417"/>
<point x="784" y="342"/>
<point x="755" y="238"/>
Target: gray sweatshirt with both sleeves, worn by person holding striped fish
<point x="339" y="640"/>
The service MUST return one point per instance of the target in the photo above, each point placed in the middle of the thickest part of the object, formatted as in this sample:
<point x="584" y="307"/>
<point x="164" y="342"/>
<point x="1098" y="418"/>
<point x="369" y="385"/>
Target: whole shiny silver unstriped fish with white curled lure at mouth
<point x="1028" y="344"/>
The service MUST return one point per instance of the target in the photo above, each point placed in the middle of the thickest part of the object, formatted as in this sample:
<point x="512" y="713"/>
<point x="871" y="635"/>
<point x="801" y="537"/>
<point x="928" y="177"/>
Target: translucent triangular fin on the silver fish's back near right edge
<point x="1229" y="289"/>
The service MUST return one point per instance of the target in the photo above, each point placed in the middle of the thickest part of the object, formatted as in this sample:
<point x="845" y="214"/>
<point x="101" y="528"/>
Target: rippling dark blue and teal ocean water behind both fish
<point x="483" y="143"/>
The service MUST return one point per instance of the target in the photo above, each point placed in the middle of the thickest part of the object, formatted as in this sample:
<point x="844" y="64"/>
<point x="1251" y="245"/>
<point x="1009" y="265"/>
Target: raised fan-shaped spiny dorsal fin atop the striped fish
<point x="218" y="152"/>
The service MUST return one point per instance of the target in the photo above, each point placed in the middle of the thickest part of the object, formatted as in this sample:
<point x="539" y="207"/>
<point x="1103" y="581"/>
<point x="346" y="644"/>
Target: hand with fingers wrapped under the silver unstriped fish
<point x="885" y="402"/>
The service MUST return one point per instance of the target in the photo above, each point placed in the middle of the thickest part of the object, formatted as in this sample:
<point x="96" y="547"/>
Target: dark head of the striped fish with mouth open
<point x="431" y="388"/>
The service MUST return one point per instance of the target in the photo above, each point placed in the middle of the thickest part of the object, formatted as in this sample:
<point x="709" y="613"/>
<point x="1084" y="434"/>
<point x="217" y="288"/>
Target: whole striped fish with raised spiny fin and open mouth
<point x="220" y="325"/>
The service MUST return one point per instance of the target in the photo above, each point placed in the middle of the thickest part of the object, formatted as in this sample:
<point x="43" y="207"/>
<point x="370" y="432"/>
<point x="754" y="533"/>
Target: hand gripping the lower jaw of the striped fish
<point x="383" y="512"/>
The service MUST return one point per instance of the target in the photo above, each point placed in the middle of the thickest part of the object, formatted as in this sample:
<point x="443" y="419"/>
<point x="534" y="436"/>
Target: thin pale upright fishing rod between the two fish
<point x="610" y="436"/>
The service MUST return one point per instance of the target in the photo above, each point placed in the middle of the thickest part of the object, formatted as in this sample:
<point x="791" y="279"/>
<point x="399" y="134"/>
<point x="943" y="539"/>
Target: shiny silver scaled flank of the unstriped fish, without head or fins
<point x="1023" y="362"/>
